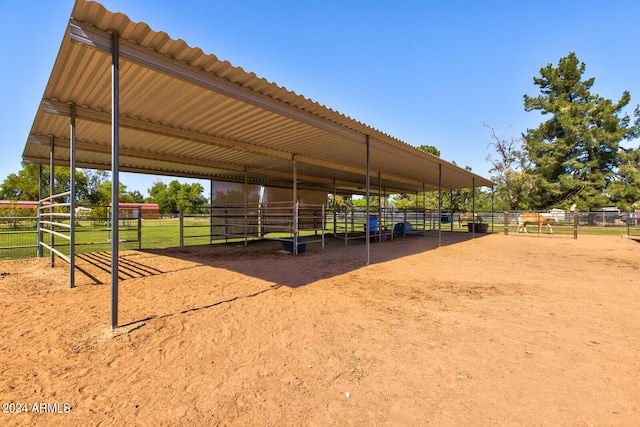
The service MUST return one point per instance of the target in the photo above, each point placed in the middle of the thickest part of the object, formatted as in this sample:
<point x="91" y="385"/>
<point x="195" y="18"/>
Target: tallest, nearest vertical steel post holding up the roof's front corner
<point x="115" y="177"/>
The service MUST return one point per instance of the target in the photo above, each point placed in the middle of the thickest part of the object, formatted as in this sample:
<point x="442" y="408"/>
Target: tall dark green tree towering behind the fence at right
<point x="574" y="154"/>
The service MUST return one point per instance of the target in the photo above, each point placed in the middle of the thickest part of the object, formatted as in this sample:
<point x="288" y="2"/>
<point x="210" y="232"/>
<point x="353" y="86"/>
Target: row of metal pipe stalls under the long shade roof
<point x="299" y="224"/>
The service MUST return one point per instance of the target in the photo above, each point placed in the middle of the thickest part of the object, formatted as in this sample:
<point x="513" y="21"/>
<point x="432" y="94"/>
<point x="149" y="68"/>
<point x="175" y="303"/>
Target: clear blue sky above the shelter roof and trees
<point x="426" y="72"/>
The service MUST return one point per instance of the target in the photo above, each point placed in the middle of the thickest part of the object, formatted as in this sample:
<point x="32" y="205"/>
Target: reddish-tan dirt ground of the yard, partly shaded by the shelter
<point x="498" y="330"/>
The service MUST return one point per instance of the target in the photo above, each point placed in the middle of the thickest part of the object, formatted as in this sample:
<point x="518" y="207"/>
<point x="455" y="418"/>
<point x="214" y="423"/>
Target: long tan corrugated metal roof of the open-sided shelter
<point x="187" y="113"/>
